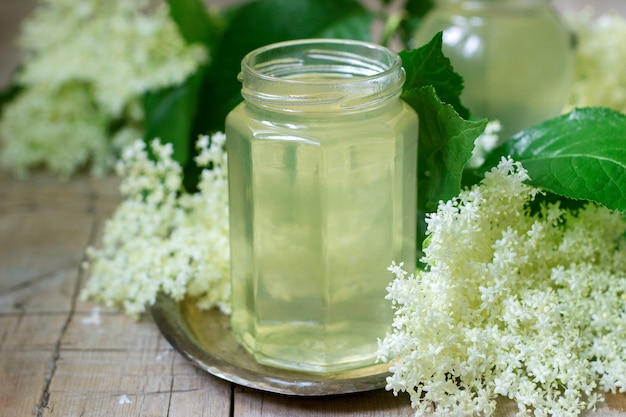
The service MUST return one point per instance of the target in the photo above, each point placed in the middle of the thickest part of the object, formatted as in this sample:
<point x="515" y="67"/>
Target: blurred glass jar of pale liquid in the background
<point x="515" y="56"/>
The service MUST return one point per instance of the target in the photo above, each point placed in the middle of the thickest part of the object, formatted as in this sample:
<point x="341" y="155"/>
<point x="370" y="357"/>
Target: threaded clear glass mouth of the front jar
<point x="319" y="74"/>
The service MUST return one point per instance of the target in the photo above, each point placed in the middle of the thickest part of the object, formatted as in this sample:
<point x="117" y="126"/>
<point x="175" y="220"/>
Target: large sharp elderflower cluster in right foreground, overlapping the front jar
<point x="518" y="299"/>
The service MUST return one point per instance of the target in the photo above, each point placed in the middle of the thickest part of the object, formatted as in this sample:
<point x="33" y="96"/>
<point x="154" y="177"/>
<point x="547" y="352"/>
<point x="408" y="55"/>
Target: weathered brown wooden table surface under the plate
<point x="60" y="356"/>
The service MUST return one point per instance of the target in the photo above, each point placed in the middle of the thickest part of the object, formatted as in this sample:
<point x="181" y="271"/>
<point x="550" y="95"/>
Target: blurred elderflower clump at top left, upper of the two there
<point x="121" y="48"/>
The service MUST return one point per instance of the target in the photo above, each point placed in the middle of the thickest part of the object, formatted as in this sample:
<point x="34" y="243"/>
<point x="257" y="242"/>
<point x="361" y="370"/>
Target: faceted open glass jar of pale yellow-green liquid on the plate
<point x="322" y="188"/>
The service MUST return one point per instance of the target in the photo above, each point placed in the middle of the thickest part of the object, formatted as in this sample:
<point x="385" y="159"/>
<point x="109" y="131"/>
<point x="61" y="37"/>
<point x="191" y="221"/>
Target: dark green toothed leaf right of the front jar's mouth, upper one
<point x="429" y="66"/>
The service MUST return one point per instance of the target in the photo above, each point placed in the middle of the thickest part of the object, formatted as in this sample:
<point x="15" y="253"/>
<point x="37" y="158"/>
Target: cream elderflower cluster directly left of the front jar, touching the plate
<point x="162" y="239"/>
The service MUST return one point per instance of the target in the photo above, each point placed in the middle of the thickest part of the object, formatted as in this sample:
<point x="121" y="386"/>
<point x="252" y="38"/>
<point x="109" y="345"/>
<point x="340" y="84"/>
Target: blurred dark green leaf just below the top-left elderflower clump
<point x="170" y="114"/>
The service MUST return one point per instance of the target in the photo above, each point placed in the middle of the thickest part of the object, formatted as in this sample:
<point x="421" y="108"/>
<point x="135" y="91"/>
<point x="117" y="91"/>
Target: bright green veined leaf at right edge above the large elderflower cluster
<point x="580" y="155"/>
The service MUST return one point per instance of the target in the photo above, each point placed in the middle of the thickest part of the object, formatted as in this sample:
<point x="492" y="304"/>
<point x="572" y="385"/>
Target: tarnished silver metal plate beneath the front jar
<point x="204" y="338"/>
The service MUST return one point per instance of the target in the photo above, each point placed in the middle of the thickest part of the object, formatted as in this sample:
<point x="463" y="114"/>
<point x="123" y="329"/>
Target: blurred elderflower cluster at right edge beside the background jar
<point x="600" y="53"/>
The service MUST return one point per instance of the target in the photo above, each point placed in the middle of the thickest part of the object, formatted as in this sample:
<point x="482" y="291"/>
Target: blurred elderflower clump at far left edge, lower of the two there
<point x="59" y="129"/>
